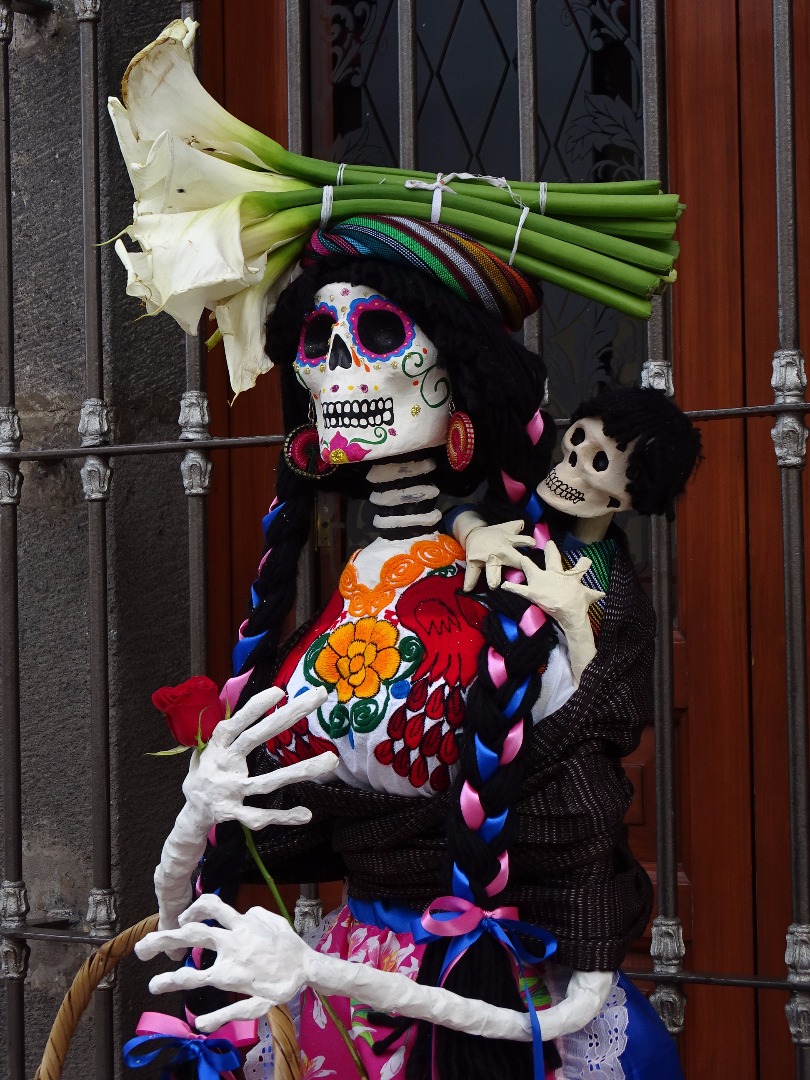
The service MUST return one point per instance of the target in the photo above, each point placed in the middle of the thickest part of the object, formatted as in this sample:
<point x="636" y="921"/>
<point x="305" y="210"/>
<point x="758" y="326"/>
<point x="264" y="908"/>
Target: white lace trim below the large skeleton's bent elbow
<point x="597" y="1048"/>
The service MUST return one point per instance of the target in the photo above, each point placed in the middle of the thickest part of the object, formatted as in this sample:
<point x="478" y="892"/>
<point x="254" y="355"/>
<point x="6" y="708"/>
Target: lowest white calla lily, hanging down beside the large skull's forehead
<point x="241" y="319"/>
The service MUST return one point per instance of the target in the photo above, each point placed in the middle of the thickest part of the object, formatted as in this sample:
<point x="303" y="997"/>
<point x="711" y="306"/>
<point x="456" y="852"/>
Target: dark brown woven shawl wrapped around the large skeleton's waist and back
<point x="571" y="868"/>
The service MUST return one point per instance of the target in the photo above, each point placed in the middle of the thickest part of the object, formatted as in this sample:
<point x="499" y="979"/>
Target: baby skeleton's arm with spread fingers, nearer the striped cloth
<point x="562" y="596"/>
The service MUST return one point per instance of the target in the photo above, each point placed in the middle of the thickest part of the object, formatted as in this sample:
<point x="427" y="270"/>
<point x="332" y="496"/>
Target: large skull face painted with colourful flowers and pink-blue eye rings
<point x="375" y="379"/>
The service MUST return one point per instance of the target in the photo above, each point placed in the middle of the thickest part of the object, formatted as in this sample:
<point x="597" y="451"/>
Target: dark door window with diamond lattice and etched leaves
<point x="589" y="126"/>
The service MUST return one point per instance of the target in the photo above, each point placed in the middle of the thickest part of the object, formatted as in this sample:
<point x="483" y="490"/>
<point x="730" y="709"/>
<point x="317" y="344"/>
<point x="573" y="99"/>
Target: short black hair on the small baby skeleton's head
<point x="668" y="447"/>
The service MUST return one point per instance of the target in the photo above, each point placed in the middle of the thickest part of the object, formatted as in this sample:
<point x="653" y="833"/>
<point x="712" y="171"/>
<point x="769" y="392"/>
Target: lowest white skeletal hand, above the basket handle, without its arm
<point x="258" y="954"/>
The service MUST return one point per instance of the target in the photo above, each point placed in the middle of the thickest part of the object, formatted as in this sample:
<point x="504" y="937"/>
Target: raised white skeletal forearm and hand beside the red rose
<point x="218" y="785"/>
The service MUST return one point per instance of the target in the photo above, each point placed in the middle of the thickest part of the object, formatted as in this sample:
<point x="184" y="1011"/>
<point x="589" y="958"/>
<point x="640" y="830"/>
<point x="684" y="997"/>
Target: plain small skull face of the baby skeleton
<point x="591" y="481"/>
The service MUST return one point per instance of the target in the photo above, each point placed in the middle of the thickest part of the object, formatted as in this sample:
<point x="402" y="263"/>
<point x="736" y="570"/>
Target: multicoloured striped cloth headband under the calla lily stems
<point x="448" y="255"/>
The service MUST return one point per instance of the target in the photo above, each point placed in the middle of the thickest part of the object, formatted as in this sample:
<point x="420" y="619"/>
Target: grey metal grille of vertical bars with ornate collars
<point x="516" y="47"/>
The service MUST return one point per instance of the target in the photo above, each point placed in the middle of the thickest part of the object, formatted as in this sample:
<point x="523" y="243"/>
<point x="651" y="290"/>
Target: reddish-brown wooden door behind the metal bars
<point x="731" y="700"/>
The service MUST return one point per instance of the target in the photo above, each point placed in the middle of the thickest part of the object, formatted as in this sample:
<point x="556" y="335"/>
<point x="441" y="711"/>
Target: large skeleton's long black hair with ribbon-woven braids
<point x="499" y="384"/>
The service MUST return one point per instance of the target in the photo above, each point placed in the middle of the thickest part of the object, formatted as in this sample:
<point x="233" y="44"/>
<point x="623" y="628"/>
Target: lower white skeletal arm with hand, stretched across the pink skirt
<point x="260" y="955"/>
